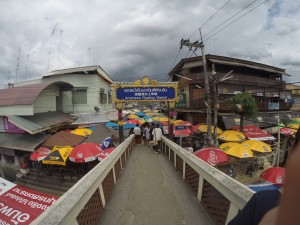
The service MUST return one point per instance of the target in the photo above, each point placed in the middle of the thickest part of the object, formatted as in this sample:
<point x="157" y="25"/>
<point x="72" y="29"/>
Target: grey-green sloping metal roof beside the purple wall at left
<point x="41" y="121"/>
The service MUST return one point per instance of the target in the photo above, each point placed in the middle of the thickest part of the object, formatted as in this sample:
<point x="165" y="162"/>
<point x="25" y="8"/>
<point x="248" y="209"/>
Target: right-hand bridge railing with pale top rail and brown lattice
<point x="221" y="195"/>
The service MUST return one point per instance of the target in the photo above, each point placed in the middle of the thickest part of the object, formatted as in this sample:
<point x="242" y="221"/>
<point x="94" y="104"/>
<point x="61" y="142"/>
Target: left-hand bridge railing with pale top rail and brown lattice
<point x="83" y="203"/>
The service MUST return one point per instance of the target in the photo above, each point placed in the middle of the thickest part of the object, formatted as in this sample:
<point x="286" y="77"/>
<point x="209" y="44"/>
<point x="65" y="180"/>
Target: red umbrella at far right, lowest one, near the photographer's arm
<point x="275" y="175"/>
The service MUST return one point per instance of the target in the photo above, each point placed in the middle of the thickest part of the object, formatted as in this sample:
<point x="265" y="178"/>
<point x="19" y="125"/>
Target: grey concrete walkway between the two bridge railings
<point x="150" y="192"/>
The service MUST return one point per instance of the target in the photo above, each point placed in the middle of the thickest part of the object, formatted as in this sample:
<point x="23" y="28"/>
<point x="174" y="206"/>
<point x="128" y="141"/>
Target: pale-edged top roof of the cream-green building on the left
<point x="83" y="70"/>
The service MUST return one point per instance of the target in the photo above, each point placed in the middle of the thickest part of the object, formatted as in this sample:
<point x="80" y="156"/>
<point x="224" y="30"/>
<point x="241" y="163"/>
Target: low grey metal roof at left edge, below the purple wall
<point x="25" y="142"/>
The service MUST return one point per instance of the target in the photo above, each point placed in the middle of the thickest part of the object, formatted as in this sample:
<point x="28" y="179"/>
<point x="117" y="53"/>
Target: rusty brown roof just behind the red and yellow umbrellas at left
<point x="63" y="138"/>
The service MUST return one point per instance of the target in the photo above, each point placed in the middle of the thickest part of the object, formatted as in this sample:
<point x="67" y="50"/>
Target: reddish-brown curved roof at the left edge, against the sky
<point x="24" y="95"/>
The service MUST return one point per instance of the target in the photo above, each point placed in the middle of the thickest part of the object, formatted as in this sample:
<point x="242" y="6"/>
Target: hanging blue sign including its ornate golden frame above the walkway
<point x="145" y="90"/>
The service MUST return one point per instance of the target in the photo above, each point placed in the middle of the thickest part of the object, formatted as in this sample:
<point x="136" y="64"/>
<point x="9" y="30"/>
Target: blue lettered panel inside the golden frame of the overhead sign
<point x="145" y="93"/>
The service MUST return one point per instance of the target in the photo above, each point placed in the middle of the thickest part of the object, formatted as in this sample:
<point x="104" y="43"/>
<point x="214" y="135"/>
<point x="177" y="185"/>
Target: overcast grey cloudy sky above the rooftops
<point x="134" y="38"/>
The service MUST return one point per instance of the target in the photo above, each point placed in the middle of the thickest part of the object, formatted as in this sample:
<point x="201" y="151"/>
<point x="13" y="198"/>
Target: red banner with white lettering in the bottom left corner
<point x="19" y="205"/>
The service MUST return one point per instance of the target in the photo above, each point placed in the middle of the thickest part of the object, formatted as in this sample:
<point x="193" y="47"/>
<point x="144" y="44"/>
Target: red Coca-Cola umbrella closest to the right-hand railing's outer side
<point x="212" y="156"/>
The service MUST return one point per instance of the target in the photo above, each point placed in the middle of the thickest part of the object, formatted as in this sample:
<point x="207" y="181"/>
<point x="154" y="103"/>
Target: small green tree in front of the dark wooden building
<point x="245" y="106"/>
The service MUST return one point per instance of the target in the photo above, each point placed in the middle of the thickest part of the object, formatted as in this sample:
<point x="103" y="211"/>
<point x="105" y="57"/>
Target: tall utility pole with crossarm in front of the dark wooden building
<point x="207" y="86"/>
